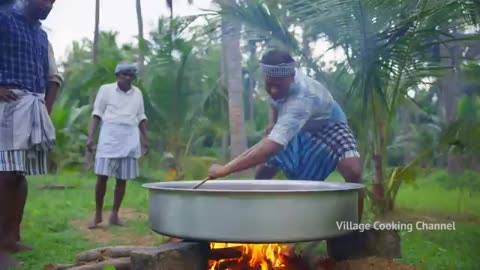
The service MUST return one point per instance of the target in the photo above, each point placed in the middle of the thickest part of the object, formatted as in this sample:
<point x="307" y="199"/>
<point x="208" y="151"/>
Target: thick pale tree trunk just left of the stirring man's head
<point x="232" y="56"/>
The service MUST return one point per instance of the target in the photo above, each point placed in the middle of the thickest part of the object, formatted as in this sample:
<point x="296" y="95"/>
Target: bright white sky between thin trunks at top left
<point x="74" y="19"/>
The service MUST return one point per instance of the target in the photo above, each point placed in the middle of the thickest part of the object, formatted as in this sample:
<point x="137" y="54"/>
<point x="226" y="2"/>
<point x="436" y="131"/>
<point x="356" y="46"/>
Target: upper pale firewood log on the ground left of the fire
<point x="104" y="253"/>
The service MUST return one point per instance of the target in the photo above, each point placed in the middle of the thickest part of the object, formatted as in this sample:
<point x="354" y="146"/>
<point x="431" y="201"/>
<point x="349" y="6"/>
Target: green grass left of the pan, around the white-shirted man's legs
<point x="48" y="215"/>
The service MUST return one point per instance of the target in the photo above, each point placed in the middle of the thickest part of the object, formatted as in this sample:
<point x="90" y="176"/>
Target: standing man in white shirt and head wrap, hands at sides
<point x="119" y="107"/>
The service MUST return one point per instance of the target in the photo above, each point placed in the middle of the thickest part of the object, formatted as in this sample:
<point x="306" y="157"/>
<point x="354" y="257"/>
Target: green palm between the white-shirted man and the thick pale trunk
<point x="176" y="90"/>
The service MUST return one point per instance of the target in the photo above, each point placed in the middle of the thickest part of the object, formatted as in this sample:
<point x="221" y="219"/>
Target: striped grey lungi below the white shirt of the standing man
<point x="121" y="168"/>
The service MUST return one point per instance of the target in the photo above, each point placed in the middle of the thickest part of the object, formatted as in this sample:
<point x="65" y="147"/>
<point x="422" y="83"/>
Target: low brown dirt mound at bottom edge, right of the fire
<point x="373" y="263"/>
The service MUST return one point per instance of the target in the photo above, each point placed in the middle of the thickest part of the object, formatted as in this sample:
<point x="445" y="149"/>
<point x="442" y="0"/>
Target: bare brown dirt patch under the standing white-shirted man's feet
<point x="125" y="235"/>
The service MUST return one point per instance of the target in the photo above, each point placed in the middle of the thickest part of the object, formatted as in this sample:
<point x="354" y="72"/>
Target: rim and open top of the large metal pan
<point x="254" y="186"/>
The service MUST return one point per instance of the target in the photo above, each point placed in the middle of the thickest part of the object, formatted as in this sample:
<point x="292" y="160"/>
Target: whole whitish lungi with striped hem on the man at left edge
<point x="27" y="134"/>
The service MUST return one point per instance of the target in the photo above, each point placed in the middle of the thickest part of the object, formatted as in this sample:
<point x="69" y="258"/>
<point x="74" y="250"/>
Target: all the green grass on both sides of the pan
<point x="47" y="222"/>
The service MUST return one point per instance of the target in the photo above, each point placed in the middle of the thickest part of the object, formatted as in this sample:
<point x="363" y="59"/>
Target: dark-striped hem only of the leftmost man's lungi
<point x="31" y="163"/>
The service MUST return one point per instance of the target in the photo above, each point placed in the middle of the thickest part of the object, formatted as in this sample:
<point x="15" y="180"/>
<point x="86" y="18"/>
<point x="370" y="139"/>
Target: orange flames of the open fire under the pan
<point x="227" y="256"/>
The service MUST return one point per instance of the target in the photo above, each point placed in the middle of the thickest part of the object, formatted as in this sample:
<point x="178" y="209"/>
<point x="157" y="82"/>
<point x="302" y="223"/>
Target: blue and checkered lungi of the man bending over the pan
<point x="314" y="155"/>
